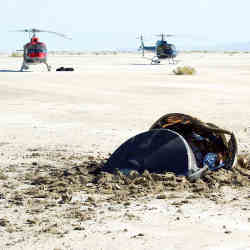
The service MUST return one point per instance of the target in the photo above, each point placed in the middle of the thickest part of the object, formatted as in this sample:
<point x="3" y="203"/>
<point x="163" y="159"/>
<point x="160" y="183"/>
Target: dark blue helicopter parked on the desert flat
<point x="162" y="49"/>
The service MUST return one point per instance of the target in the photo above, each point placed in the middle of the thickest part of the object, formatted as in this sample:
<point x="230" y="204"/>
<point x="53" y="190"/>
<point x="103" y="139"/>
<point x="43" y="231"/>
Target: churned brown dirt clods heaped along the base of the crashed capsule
<point x="88" y="177"/>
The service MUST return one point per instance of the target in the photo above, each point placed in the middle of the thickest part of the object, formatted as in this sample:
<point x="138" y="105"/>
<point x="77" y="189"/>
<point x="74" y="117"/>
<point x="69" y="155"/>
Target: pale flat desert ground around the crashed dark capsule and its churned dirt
<point x="55" y="121"/>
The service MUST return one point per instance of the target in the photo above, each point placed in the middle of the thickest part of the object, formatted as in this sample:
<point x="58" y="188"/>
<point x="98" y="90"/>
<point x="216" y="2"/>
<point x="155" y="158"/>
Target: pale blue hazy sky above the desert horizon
<point x="113" y="24"/>
